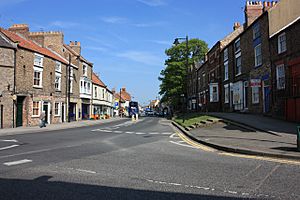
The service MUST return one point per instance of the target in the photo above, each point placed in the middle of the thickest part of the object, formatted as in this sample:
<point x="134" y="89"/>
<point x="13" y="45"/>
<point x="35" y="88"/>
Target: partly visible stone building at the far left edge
<point x="7" y="86"/>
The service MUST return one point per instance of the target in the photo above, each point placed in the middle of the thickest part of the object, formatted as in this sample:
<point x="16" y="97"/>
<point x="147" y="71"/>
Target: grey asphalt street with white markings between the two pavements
<point x="134" y="160"/>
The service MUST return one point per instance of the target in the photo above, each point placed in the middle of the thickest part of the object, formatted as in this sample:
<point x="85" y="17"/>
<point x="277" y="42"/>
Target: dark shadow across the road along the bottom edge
<point x="42" y="188"/>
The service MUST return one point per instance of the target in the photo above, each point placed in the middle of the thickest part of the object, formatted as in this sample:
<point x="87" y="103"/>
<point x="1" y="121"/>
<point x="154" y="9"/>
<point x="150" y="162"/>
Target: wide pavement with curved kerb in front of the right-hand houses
<point x="249" y="134"/>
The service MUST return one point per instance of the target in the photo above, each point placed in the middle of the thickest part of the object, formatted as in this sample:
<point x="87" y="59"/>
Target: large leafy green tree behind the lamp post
<point x="173" y="77"/>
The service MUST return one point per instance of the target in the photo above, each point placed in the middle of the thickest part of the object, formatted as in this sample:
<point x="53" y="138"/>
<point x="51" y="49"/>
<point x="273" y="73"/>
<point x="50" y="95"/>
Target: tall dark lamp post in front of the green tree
<point x="176" y="42"/>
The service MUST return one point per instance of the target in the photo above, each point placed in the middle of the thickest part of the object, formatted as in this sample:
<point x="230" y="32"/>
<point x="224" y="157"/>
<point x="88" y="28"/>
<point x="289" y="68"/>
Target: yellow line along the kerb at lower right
<point x="277" y="160"/>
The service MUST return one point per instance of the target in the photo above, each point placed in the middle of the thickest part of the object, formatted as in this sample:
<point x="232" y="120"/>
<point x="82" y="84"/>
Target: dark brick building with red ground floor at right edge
<point x="284" y="25"/>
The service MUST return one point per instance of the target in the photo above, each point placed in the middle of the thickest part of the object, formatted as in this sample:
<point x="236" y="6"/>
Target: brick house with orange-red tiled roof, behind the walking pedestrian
<point x="39" y="80"/>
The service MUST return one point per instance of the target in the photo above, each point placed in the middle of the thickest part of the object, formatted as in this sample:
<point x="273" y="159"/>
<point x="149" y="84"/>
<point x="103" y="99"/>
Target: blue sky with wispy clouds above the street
<point x="126" y="39"/>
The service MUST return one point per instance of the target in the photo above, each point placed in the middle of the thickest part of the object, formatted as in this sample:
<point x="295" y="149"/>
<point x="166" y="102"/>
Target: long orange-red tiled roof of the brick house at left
<point x="30" y="45"/>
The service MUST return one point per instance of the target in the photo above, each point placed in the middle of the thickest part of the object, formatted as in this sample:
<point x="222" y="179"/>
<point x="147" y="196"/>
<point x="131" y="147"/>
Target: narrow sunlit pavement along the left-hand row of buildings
<point x="53" y="127"/>
